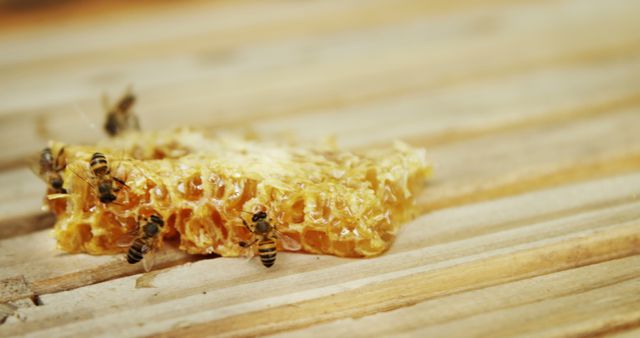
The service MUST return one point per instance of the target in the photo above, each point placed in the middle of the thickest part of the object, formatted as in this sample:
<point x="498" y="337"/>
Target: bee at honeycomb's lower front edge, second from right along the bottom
<point x="143" y="242"/>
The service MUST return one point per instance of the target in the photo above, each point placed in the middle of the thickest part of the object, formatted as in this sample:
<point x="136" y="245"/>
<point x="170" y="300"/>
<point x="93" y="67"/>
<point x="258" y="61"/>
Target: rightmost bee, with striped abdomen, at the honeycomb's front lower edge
<point x="265" y="235"/>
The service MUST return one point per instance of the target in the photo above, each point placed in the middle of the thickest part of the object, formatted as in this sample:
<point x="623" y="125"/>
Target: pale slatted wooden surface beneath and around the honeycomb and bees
<point x="530" y="111"/>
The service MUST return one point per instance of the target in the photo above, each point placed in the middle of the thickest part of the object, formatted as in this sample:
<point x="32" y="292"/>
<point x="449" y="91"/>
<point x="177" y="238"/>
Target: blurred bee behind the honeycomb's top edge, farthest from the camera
<point x="119" y="117"/>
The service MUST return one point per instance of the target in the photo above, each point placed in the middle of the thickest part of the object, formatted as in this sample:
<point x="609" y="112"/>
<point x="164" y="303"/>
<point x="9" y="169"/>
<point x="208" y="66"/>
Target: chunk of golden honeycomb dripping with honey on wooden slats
<point x="331" y="201"/>
